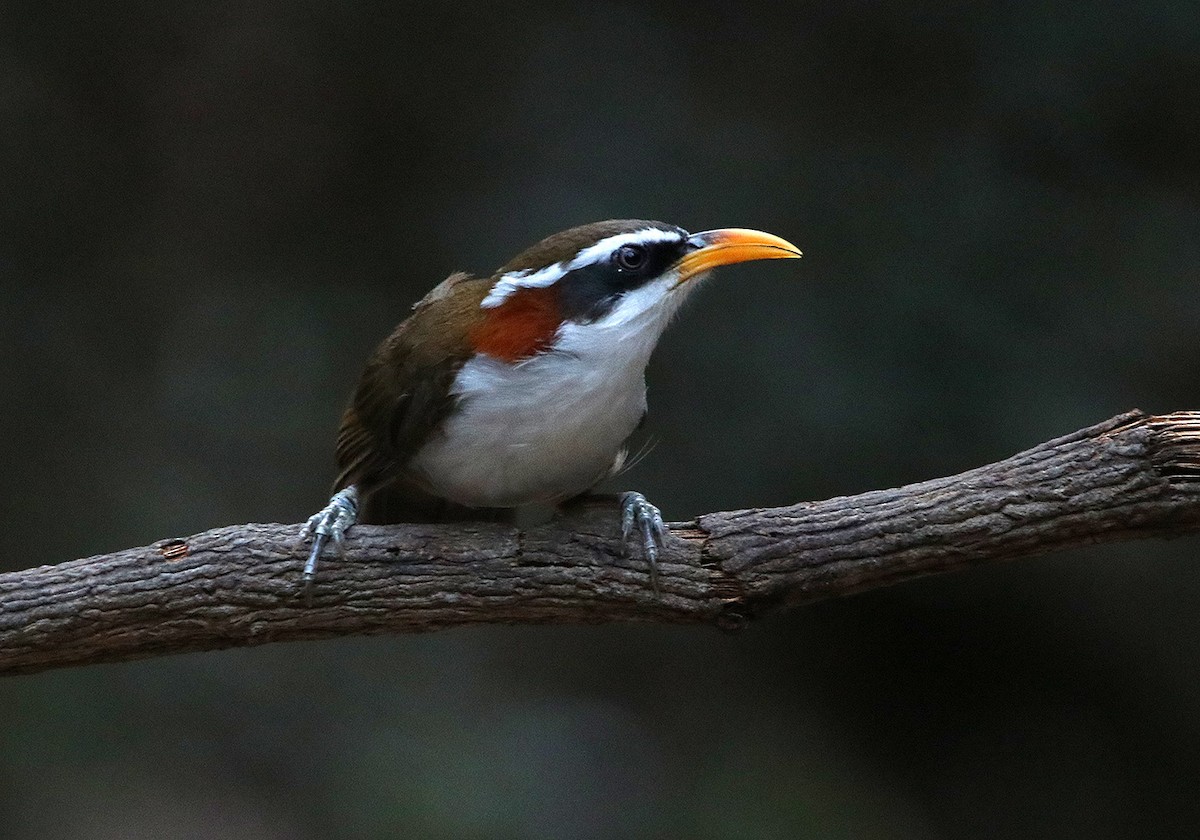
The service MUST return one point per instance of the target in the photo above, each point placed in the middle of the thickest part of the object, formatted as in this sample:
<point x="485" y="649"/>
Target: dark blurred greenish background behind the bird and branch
<point x="212" y="212"/>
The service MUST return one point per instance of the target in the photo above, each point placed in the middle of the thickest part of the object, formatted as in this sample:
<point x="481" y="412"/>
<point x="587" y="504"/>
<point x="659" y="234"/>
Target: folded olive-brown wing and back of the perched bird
<point x="404" y="394"/>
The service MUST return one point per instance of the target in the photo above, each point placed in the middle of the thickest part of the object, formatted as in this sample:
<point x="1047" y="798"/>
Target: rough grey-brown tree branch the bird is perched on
<point x="1129" y="478"/>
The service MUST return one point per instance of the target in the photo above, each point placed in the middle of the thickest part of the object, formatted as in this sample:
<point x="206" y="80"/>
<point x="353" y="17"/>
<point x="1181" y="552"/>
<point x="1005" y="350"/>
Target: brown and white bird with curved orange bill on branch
<point x="523" y="387"/>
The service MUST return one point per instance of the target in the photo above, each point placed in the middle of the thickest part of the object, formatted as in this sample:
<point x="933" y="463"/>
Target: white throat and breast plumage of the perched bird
<point x="548" y="429"/>
